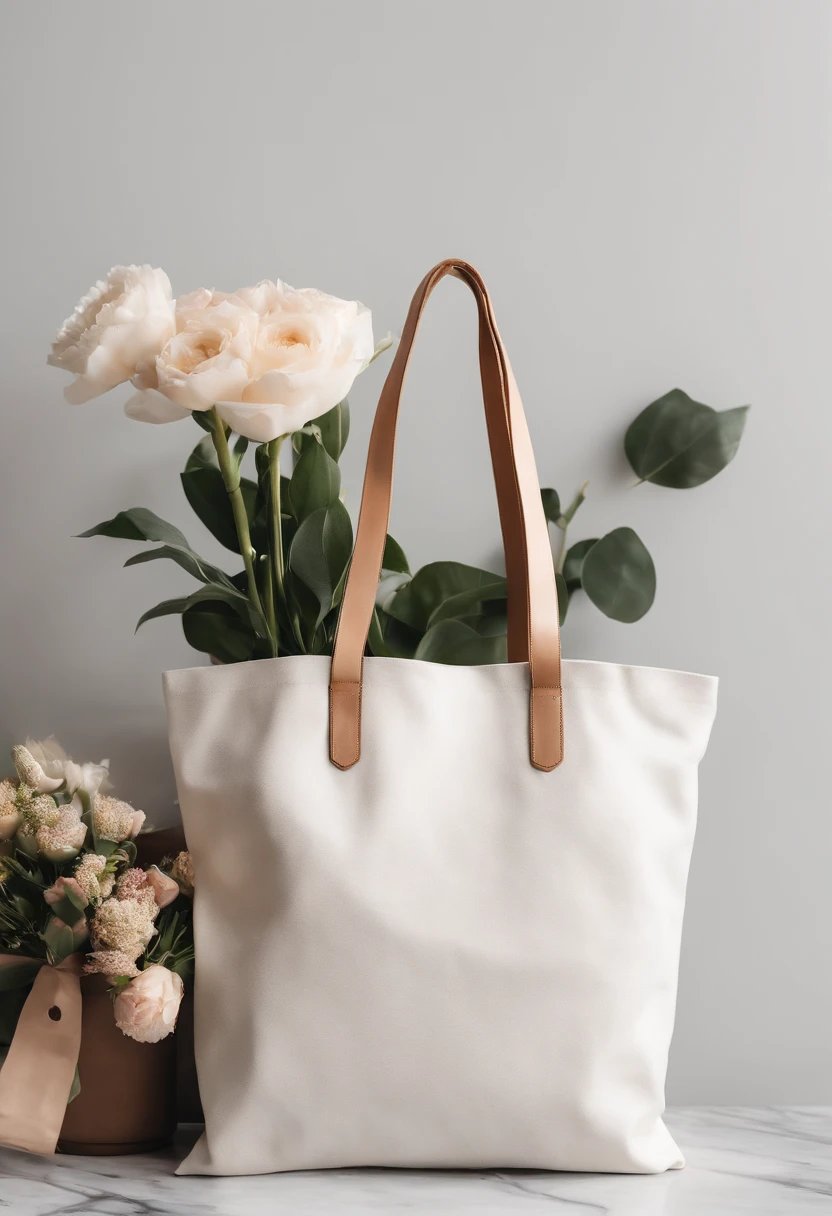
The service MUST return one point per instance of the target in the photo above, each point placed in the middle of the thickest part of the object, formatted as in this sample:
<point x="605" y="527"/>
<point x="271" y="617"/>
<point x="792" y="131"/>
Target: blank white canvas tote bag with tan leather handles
<point x="439" y="909"/>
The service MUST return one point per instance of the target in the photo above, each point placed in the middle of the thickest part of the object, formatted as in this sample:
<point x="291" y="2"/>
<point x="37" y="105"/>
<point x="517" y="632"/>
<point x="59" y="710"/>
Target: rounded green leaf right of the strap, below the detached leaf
<point x="620" y="577"/>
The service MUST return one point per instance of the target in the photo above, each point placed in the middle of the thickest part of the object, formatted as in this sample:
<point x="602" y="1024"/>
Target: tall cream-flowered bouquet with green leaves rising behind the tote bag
<point x="272" y="367"/>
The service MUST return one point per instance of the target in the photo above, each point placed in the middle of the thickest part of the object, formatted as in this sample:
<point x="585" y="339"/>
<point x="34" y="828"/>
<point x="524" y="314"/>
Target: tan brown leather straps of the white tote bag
<point x="533" y="620"/>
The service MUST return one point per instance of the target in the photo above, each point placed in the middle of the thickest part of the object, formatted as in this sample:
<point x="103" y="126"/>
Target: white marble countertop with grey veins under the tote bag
<point x="767" y="1162"/>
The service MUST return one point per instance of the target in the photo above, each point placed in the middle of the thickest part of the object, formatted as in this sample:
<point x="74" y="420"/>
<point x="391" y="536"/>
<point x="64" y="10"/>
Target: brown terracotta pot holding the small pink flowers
<point x="128" y="1095"/>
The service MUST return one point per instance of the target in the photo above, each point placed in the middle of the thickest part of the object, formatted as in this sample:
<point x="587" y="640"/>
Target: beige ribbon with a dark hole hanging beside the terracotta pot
<point x="41" y="1065"/>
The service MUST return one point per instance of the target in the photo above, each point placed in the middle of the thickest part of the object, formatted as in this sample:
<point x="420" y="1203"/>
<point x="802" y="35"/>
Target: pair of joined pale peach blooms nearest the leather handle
<point x="271" y="358"/>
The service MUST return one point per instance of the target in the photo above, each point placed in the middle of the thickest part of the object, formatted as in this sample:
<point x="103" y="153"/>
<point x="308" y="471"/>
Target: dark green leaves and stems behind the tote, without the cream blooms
<point x="295" y="538"/>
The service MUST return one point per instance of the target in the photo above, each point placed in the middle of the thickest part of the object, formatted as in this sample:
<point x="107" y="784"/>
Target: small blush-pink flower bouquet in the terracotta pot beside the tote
<point x="70" y="886"/>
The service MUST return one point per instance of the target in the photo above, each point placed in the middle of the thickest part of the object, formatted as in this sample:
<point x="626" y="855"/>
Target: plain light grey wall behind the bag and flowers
<point x="647" y="187"/>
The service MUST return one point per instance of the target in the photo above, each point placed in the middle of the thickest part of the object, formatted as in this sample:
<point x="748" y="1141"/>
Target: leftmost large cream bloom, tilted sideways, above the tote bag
<point x="121" y="325"/>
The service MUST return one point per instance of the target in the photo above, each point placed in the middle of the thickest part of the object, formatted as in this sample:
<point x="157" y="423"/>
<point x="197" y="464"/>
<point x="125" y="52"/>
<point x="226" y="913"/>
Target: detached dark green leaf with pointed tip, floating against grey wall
<point x="681" y="443"/>
